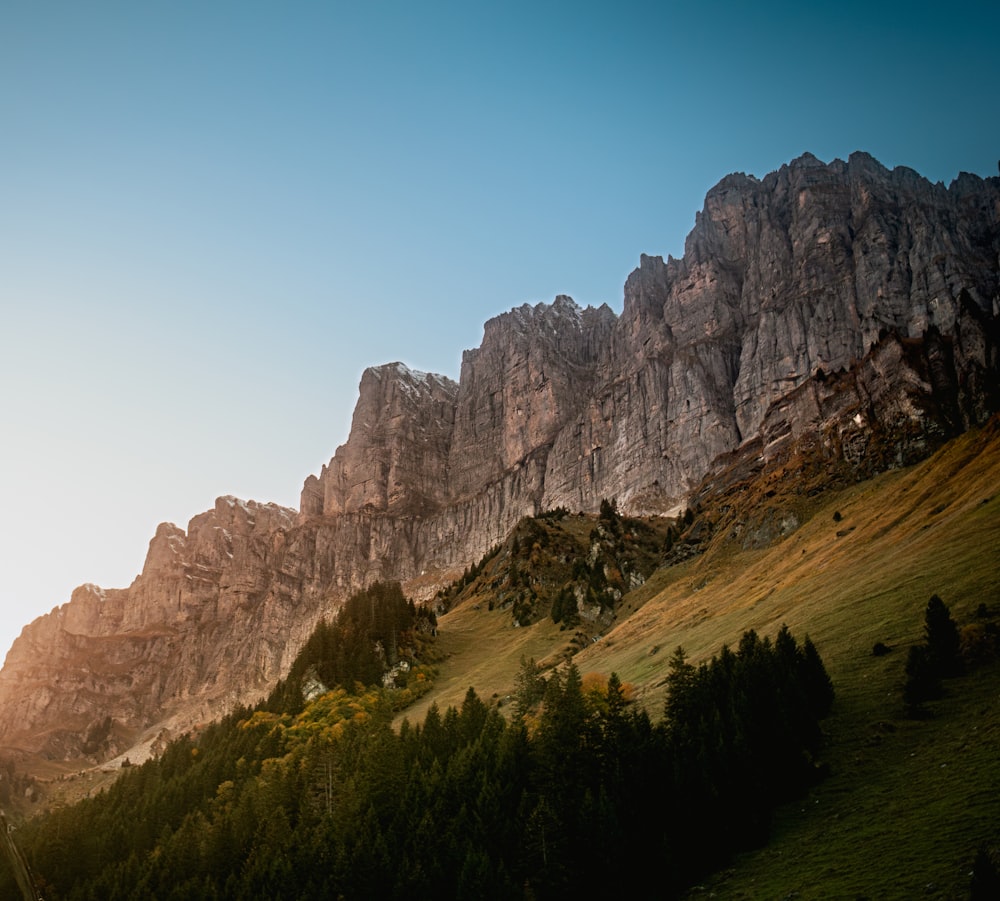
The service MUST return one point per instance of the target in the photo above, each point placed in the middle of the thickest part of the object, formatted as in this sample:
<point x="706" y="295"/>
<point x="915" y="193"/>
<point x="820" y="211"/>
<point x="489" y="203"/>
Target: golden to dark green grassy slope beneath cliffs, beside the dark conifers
<point x="907" y="802"/>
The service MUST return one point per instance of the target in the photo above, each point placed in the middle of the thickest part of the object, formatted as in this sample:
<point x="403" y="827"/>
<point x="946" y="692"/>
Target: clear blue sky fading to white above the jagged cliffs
<point x="214" y="216"/>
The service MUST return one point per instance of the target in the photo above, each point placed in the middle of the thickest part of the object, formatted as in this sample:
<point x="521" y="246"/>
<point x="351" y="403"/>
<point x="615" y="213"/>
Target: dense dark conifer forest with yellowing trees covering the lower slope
<point x="580" y="792"/>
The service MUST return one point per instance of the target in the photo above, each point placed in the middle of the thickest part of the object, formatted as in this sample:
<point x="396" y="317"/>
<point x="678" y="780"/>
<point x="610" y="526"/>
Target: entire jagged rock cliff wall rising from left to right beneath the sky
<point x="831" y="300"/>
